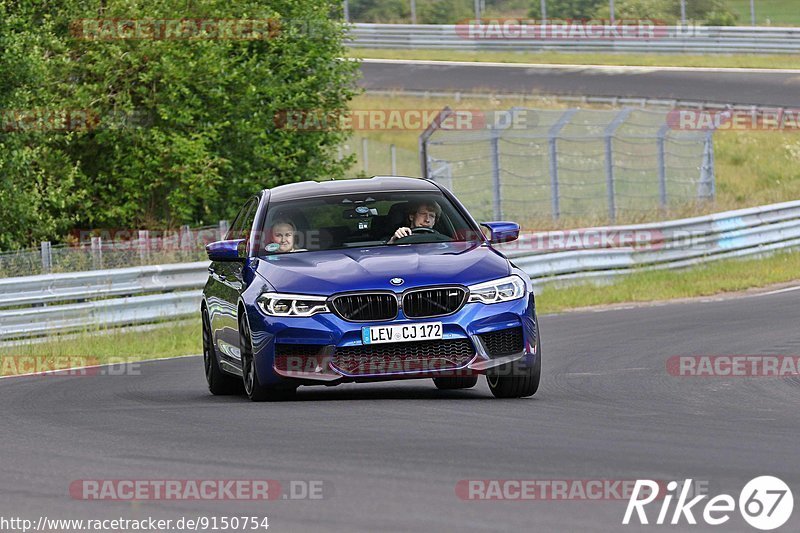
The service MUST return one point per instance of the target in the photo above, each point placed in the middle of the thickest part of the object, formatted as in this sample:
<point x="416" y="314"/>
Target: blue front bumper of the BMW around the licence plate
<point x="315" y="346"/>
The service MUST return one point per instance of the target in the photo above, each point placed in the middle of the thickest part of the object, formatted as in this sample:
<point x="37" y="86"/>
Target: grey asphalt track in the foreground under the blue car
<point x="390" y="455"/>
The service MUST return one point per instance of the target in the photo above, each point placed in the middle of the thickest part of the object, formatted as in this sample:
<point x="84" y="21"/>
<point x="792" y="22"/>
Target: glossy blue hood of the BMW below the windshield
<point x="332" y="271"/>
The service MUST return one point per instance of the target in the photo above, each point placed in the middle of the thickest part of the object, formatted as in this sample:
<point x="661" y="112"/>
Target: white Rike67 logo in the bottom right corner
<point x="765" y="503"/>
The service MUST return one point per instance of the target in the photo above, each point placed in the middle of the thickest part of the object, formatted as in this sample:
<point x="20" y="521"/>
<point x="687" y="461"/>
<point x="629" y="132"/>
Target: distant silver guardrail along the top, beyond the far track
<point x="667" y="39"/>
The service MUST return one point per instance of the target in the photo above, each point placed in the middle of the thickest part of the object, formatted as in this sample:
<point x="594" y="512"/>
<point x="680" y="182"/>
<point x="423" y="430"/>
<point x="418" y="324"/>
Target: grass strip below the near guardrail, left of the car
<point x="101" y="346"/>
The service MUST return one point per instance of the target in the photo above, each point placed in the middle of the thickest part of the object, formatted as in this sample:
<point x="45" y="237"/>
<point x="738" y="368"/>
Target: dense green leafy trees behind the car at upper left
<point x="187" y="128"/>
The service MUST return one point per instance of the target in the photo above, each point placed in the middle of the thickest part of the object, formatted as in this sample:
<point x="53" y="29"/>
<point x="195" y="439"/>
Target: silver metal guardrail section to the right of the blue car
<point x="673" y="244"/>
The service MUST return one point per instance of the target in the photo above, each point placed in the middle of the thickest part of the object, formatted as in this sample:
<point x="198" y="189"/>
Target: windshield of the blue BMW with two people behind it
<point x="362" y="220"/>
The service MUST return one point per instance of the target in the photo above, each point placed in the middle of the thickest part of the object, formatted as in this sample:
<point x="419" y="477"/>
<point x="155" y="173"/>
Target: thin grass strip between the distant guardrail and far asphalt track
<point x="652" y="60"/>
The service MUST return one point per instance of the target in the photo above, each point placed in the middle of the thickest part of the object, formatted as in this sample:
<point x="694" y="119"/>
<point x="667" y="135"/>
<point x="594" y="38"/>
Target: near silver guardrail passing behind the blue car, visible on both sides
<point x="40" y="305"/>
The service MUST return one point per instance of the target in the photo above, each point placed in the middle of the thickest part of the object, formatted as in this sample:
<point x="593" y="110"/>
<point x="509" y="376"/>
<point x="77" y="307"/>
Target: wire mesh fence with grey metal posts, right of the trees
<point x="578" y="163"/>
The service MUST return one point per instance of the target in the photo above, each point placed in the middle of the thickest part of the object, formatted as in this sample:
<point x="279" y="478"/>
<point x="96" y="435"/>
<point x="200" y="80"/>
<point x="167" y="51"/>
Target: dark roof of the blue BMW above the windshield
<point x="310" y="189"/>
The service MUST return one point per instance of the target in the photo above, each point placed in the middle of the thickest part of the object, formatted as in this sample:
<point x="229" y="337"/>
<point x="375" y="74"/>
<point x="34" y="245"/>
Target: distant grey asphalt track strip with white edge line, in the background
<point x="735" y="86"/>
